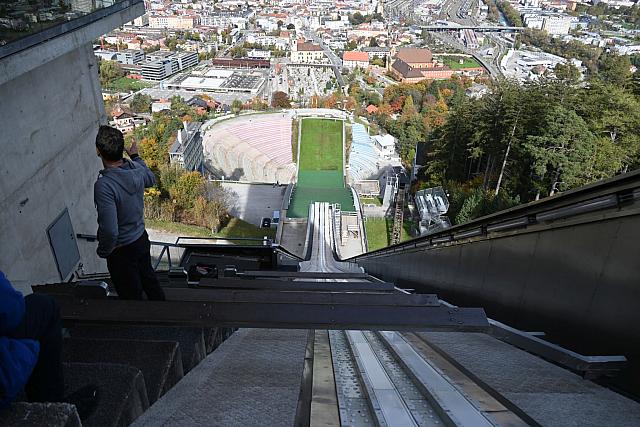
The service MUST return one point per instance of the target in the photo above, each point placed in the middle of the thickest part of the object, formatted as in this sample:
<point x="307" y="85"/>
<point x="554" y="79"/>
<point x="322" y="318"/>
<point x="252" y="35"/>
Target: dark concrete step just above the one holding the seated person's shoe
<point x="159" y="361"/>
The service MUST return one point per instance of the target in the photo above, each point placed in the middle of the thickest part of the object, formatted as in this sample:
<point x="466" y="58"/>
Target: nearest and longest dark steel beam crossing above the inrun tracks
<point x="263" y="314"/>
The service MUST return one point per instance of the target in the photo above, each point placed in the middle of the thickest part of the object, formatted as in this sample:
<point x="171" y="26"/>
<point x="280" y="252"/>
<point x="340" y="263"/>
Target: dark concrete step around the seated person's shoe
<point x="121" y="388"/>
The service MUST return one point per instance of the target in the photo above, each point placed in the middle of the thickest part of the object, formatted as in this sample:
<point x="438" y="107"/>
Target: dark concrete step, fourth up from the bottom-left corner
<point x="190" y="339"/>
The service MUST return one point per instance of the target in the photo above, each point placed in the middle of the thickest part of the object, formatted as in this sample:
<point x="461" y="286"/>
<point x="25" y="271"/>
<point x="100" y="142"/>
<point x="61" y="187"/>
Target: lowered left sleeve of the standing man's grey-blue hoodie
<point x="107" y="219"/>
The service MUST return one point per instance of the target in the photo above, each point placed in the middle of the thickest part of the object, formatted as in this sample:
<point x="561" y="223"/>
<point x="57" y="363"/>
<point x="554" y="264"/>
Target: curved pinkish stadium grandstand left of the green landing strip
<point x="250" y="148"/>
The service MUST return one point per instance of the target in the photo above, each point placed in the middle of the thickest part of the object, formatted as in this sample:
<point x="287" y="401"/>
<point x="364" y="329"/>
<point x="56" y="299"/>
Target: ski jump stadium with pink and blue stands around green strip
<point x="261" y="148"/>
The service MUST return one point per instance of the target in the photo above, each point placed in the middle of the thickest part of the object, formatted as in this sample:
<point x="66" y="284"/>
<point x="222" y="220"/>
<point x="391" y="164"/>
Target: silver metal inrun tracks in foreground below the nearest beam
<point x="362" y="378"/>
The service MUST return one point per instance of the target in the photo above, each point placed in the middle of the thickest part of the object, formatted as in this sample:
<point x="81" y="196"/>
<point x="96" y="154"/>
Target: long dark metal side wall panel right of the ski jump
<point x="579" y="283"/>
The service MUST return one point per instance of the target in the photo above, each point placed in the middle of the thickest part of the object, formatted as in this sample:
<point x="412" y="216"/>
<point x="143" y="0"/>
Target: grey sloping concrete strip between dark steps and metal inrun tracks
<point x="253" y="378"/>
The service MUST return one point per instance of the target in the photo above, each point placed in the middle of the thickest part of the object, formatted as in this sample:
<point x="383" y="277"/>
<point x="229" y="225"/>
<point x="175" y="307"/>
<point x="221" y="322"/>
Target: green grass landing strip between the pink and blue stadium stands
<point x="320" y="175"/>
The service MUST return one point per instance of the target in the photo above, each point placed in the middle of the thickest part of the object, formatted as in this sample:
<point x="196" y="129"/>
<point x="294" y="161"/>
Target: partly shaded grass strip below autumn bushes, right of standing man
<point x="235" y="228"/>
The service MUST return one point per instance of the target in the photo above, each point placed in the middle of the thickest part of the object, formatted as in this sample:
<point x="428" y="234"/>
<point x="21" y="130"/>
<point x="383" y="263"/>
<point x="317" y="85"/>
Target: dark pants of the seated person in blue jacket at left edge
<point x="41" y="322"/>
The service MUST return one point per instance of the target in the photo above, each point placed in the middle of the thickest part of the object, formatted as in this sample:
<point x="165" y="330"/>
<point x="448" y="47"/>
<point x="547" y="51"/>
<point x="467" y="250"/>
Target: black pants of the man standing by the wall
<point x="132" y="273"/>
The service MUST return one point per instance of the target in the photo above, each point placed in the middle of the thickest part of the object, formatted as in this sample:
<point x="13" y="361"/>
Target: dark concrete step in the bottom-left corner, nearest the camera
<point x="22" y="414"/>
